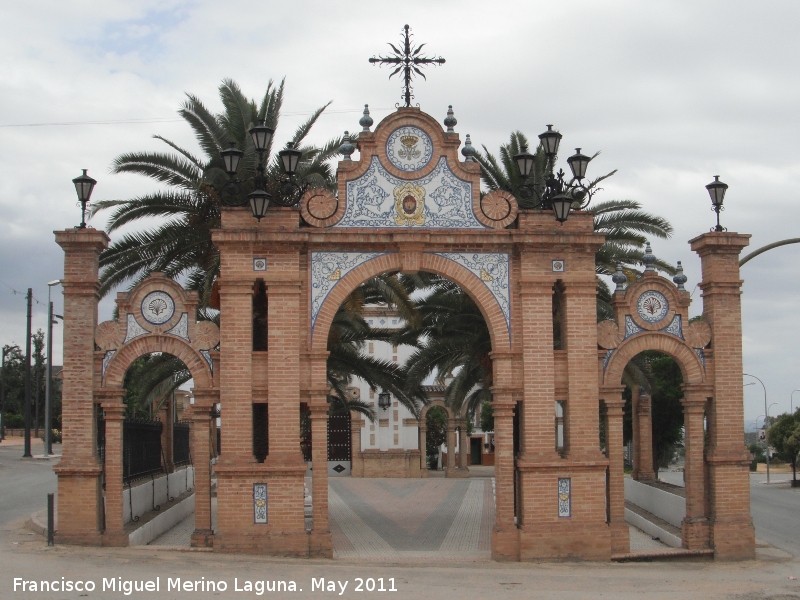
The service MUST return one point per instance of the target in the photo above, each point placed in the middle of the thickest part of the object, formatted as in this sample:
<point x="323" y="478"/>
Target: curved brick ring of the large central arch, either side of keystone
<point x="477" y="290"/>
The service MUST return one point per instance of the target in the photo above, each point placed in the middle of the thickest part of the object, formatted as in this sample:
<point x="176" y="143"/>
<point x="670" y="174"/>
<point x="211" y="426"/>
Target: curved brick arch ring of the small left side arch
<point x="148" y="344"/>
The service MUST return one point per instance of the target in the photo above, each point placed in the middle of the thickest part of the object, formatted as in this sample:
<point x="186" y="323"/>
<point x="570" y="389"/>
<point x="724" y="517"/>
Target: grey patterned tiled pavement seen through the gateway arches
<point x="407" y="520"/>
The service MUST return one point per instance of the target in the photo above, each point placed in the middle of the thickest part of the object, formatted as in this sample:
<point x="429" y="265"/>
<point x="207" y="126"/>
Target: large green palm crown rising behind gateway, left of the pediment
<point x="181" y="246"/>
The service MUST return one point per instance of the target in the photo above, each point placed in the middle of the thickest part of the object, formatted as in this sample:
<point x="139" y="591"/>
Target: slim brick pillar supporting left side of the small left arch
<point x="114" y="414"/>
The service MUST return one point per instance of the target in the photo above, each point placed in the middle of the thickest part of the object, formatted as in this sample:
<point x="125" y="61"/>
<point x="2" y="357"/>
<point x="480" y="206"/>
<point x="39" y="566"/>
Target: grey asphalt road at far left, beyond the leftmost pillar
<point x="24" y="483"/>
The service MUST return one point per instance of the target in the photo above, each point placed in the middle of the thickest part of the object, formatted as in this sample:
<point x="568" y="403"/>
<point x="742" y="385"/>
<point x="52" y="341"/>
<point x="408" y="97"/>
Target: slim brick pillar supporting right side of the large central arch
<point x="505" y="536"/>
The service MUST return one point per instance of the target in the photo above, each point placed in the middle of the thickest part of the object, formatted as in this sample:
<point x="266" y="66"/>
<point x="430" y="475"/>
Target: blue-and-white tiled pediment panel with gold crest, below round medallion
<point x="440" y="199"/>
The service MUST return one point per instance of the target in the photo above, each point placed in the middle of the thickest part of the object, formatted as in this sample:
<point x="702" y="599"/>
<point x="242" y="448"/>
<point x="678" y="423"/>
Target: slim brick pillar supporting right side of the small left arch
<point x="203" y="534"/>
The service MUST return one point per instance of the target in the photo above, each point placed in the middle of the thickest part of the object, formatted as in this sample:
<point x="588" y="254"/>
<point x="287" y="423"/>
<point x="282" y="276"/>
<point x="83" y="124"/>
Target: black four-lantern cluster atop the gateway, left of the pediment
<point x="286" y="190"/>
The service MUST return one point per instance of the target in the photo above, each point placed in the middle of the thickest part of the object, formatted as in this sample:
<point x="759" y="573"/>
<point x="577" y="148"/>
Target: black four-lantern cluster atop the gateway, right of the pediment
<point x="555" y="192"/>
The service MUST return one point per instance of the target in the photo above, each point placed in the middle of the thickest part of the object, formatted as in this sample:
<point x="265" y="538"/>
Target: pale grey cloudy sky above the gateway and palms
<point x="671" y="92"/>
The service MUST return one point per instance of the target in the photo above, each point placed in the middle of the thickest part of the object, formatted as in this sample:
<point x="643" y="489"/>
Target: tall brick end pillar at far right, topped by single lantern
<point x="732" y="533"/>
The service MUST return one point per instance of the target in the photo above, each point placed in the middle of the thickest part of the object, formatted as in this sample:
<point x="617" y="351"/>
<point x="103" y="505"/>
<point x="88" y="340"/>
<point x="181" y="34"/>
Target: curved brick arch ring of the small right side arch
<point x="688" y="361"/>
